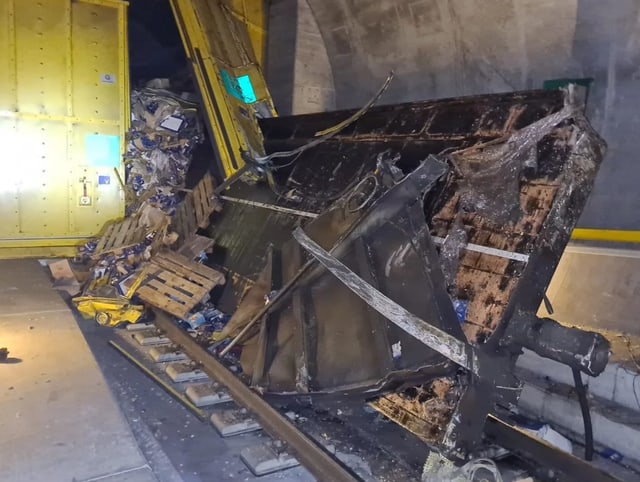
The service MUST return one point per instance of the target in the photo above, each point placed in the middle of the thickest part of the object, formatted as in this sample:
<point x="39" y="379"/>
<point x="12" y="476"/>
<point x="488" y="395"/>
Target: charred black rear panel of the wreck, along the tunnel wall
<point x="319" y="177"/>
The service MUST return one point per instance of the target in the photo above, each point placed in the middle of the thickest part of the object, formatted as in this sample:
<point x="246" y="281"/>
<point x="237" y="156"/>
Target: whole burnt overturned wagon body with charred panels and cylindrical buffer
<point x="409" y="255"/>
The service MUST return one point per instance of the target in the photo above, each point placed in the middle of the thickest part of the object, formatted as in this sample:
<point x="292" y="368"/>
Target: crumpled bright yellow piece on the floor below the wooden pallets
<point x="108" y="311"/>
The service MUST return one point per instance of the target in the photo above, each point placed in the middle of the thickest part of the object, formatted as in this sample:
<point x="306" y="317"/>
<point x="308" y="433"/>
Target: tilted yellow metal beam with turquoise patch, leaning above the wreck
<point x="225" y="42"/>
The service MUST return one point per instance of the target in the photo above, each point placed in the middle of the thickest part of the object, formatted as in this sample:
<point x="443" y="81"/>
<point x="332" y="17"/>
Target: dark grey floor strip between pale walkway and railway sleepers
<point x="177" y="445"/>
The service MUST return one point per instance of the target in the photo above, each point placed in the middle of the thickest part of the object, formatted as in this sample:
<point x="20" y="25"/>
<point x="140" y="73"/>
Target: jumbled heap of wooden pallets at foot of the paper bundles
<point x="167" y="275"/>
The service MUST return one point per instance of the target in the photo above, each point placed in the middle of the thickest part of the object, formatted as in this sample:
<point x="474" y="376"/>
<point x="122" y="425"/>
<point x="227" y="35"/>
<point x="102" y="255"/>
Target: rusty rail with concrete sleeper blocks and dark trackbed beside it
<point x="279" y="435"/>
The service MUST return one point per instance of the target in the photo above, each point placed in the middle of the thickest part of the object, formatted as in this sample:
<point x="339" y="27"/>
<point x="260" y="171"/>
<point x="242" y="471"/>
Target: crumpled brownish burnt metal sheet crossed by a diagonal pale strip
<point x="326" y="339"/>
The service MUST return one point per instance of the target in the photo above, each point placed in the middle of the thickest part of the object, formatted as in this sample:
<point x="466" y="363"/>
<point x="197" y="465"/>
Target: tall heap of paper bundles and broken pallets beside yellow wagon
<point x="153" y="257"/>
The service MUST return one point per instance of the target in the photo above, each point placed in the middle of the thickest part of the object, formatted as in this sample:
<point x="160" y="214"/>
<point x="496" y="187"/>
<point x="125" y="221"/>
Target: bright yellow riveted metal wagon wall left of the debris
<point x="64" y="111"/>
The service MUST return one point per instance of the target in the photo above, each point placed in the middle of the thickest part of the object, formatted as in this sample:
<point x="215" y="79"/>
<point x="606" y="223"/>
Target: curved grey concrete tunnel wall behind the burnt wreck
<point x="334" y="54"/>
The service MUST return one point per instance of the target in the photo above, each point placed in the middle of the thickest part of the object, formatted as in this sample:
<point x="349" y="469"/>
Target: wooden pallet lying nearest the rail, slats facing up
<point x="175" y="284"/>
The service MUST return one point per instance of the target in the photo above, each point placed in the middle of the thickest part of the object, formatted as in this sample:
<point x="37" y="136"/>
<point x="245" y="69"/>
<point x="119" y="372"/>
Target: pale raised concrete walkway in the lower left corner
<point x="58" y="419"/>
